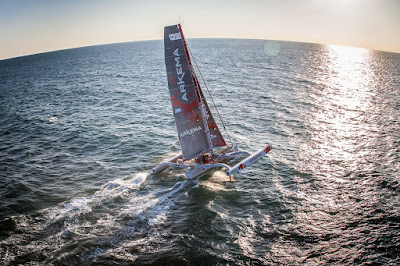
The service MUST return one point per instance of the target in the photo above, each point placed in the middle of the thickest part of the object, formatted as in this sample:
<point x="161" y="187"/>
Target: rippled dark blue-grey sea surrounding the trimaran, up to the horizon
<point x="81" y="129"/>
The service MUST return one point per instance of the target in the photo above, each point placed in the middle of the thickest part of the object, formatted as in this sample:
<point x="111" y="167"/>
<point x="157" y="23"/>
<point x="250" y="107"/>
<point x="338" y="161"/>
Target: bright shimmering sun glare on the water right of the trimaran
<point x="343" y="130"/>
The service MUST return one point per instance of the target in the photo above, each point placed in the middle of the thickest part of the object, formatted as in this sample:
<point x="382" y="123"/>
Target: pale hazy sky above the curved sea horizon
<point x="34" y="26"/>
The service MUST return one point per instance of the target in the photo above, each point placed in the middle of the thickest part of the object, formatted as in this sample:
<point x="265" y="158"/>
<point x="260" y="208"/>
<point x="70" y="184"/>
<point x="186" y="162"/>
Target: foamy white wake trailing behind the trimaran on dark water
<point x="123" y="213"/>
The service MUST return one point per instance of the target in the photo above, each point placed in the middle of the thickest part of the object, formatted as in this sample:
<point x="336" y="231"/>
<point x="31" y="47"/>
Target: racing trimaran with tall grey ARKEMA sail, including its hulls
<point x="203" y="146"/>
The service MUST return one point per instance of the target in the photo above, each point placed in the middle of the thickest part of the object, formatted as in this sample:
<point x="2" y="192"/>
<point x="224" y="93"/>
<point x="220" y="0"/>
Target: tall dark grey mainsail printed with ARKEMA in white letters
<point x="184" y="97"/>
